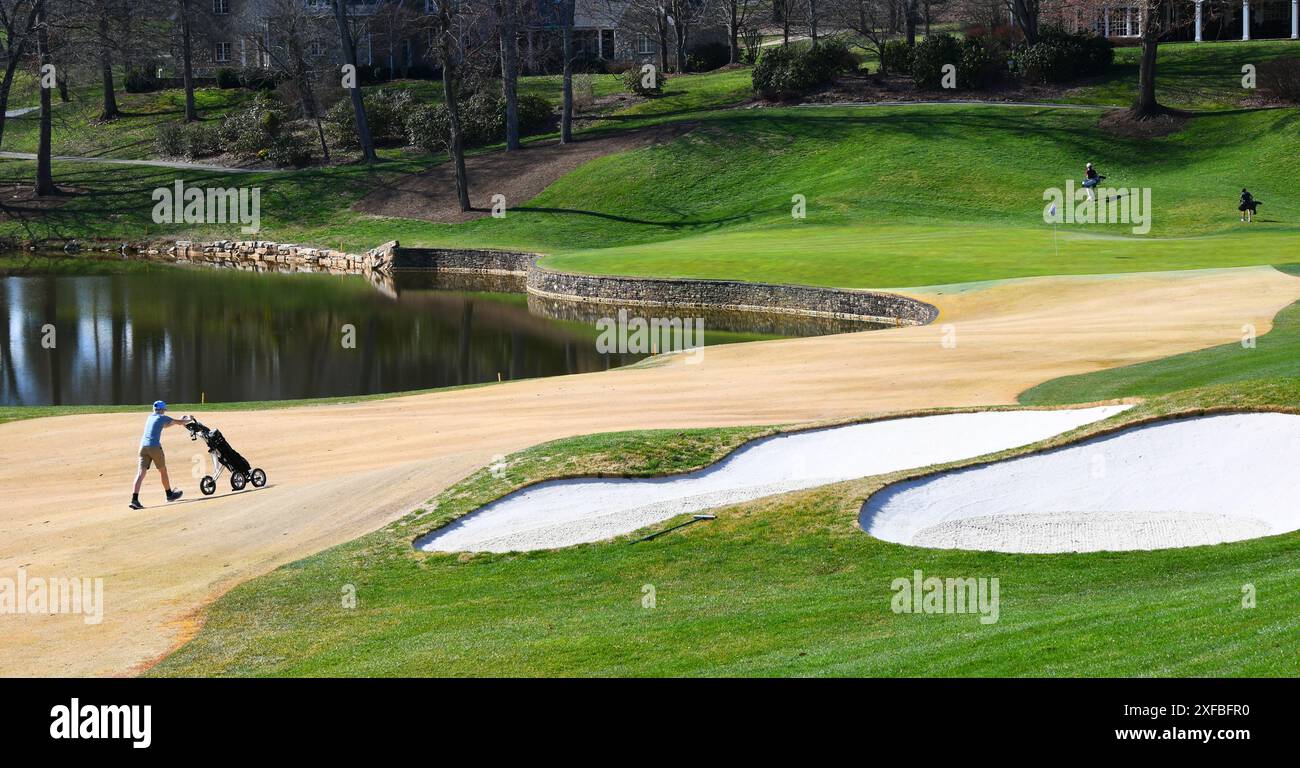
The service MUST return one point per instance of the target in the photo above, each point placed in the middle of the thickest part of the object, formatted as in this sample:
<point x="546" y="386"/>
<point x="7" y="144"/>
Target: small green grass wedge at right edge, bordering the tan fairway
<point x="1273" y="355"/>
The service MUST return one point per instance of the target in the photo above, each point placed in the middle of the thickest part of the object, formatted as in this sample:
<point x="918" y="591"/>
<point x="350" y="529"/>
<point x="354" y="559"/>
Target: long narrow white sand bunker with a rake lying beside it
<point x="569" y="513"/>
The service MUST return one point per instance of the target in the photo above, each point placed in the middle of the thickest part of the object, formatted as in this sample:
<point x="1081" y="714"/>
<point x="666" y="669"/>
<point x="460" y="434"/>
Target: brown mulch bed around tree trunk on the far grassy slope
<point x="519" y="176"/>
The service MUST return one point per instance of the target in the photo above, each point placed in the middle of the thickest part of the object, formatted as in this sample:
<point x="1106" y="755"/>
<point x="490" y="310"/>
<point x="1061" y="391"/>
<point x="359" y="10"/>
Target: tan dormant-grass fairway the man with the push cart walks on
<point x="341" y="471"/>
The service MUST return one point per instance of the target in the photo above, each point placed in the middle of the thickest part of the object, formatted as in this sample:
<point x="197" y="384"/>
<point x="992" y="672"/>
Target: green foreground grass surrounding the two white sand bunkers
<point x="782" y="587"/>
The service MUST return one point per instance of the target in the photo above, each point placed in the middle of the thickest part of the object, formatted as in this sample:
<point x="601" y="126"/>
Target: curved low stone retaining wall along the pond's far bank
<point x="557" y="287"/>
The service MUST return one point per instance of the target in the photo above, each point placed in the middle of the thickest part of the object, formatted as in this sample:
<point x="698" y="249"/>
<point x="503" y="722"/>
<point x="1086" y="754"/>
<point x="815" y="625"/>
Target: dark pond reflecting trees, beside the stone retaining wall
<point x="79" y="331"/>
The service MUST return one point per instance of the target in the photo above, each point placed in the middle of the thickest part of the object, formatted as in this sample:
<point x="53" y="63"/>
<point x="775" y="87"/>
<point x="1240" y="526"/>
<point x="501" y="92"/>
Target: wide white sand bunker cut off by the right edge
<point x="1177" y="484"/>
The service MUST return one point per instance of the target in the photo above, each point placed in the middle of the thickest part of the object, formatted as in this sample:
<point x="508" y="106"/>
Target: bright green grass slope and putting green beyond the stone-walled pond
<point x="896" y="197"/>
